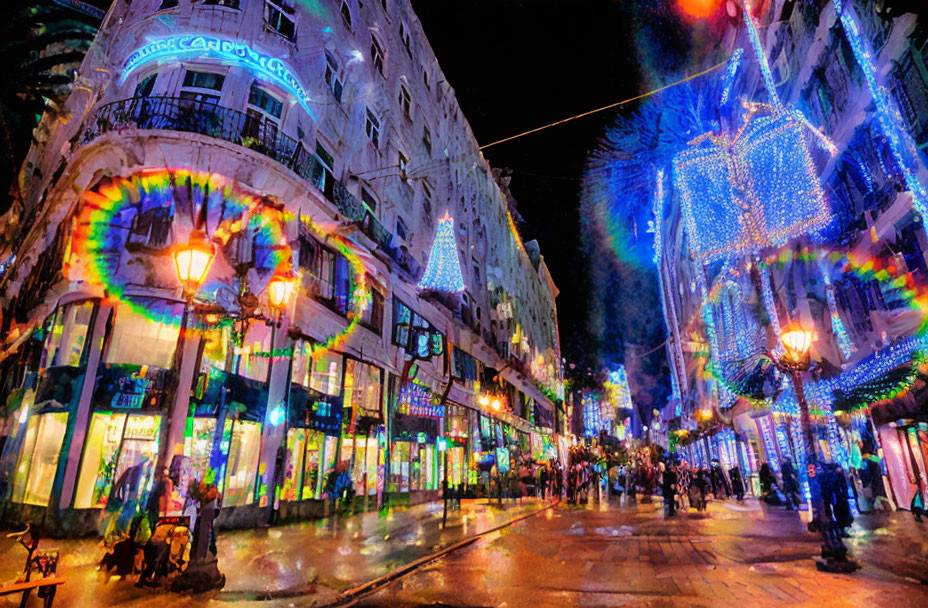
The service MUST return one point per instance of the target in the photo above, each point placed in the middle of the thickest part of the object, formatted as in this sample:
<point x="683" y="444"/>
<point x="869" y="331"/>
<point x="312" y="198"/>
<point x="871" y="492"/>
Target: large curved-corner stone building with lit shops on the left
<point x="313" y="145"/>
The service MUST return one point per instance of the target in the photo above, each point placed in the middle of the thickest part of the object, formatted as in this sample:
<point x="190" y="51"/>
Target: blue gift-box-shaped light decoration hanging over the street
<point x="753" y="190"/>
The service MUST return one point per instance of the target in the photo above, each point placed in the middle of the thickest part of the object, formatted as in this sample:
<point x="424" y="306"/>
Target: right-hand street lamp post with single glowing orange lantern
<point x="795" y="360"/>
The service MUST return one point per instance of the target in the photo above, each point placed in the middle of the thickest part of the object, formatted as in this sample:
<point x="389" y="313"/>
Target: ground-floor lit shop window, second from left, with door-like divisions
<point x="118" y="446"/>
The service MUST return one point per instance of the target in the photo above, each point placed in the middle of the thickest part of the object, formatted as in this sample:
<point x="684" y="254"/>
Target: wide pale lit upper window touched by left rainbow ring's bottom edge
<point x="138" y="339"/>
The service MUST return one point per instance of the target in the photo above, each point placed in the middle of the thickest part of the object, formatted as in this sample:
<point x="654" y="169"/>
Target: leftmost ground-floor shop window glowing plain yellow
<point x="38" y="463"/>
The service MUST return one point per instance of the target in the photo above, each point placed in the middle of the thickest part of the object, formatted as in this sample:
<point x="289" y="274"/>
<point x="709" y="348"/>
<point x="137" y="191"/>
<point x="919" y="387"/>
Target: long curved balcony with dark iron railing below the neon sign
<point x="213" y="120"/>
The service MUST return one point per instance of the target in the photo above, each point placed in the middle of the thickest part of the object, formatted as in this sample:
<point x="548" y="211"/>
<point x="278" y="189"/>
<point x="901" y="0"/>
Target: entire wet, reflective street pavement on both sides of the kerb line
<point x="600" y="555"/>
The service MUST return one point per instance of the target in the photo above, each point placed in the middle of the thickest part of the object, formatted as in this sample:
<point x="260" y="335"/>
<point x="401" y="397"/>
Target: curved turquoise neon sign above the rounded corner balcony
<point x="236" y="53"/>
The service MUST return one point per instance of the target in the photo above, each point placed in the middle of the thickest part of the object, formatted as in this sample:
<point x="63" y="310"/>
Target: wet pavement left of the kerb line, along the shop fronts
<point x="309" y="563"/>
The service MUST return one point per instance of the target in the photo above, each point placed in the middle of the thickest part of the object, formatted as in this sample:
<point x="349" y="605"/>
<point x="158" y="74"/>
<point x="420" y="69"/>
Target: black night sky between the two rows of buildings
<point x="516" y="65"/>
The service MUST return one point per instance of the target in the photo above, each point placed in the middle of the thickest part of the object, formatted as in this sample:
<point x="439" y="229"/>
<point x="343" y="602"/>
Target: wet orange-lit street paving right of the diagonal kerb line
<point x="736" y="554"/>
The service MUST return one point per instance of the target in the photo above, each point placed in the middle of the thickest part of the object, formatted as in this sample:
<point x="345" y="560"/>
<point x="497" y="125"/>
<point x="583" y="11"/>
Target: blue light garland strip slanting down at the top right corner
<point x="887" y="114"/>
